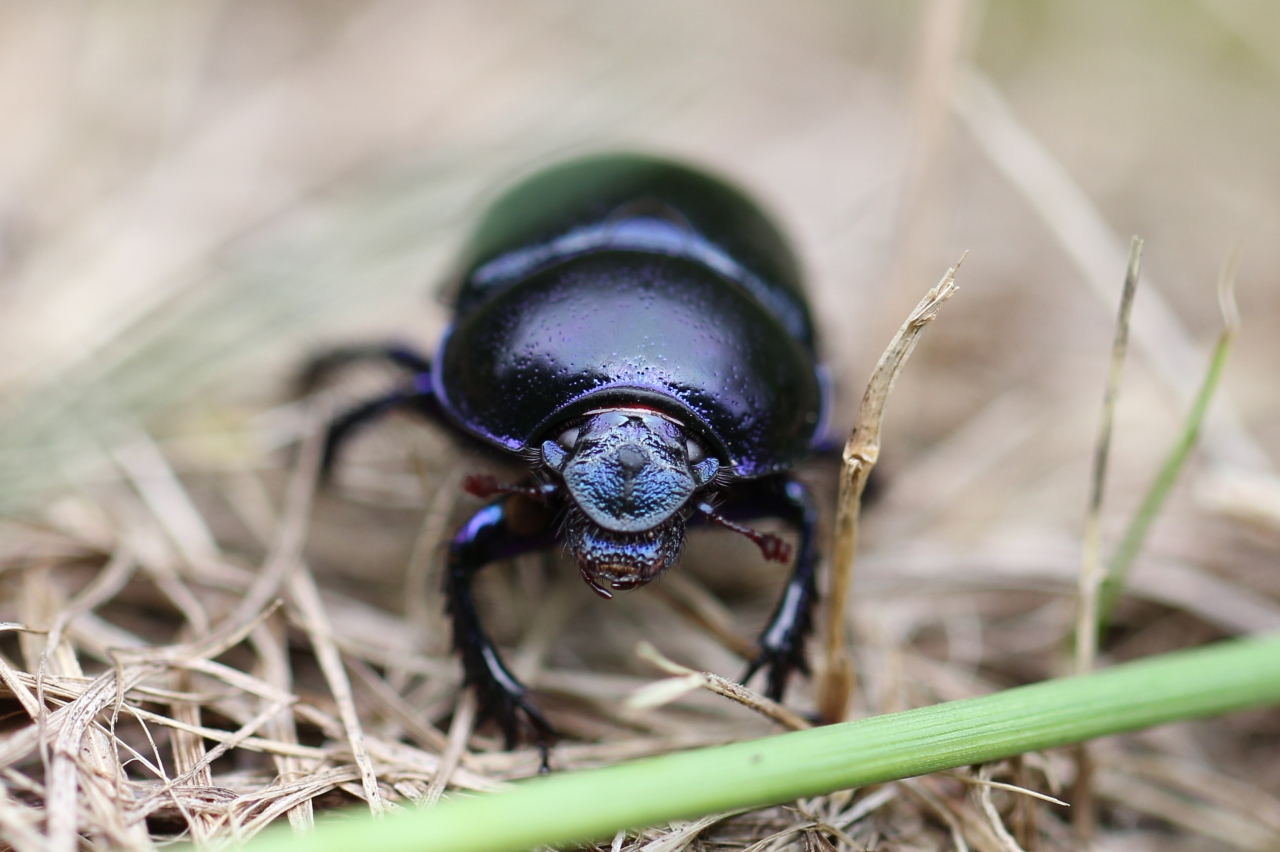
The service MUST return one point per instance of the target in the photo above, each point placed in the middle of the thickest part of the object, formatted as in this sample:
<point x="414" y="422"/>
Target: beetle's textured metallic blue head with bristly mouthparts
<point x="630" y="471"/>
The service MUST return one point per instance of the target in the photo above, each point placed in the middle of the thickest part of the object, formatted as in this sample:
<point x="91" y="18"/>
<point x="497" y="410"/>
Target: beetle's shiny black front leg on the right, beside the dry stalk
<point x="781" y="648"/>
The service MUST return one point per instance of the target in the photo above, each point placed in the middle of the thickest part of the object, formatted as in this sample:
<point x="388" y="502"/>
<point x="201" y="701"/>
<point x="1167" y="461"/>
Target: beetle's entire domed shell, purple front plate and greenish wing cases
<point x="634" y="281"/>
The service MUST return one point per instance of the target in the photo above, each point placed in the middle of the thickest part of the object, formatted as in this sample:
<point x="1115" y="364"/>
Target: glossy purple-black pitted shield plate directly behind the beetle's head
<point x="633" y="329"/>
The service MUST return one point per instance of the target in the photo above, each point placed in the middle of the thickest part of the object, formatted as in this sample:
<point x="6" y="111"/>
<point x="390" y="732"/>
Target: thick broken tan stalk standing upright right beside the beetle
<point x="862" y="451"/>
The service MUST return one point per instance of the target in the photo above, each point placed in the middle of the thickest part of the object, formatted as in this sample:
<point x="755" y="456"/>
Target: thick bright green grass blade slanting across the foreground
<point x="573" y="808"/>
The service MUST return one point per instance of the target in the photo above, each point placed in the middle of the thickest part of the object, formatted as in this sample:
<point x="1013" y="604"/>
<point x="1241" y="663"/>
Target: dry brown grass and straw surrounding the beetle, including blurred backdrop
<point x="196" y="195"/>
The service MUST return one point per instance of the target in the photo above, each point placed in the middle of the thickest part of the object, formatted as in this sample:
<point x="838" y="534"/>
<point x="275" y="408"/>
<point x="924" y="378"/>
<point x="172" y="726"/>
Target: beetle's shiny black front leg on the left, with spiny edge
<point x="506" y="528"/>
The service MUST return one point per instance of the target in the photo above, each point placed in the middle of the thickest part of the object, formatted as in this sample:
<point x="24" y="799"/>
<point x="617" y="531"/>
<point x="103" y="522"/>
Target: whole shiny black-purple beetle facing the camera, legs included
<point x="634" y="332"/>
